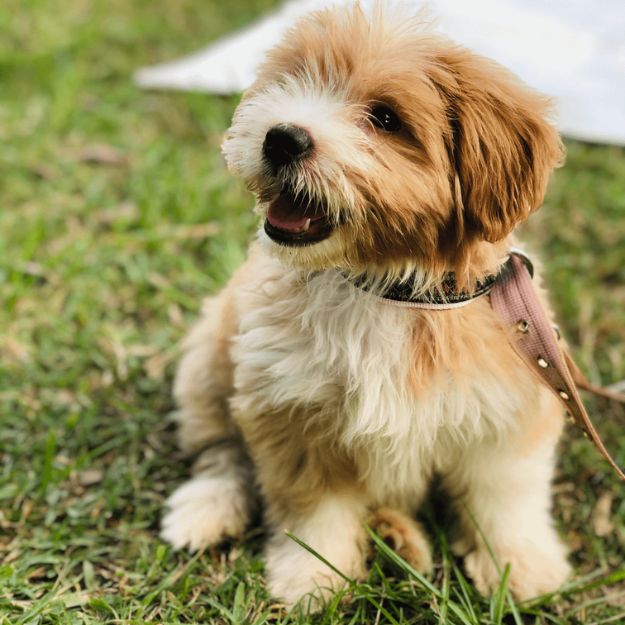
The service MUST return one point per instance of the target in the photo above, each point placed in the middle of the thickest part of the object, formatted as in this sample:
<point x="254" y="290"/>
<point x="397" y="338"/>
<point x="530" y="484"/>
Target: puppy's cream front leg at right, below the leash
<point x="504" y="501"/>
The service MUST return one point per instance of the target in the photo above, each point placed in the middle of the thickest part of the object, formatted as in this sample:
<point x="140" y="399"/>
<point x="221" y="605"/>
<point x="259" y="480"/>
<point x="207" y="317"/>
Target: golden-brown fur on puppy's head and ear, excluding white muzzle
<point x="474" y="154"/>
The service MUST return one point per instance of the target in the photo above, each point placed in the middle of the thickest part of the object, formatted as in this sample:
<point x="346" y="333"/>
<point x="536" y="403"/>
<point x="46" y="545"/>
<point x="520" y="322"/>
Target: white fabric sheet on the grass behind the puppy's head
<point x="573" y="50"/>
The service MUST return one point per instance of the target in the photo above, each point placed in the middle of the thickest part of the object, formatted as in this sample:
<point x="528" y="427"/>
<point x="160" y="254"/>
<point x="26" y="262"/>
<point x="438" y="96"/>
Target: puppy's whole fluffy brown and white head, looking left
<point x="370" y="142"/>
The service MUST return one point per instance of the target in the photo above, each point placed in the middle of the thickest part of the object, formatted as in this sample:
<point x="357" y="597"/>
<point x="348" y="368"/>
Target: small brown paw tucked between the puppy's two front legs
<point x="405" y="536"/>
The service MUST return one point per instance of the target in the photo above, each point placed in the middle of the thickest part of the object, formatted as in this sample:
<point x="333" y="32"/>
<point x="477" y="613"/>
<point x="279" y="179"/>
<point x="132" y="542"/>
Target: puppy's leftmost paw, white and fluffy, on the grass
<point x="204" y="511"/>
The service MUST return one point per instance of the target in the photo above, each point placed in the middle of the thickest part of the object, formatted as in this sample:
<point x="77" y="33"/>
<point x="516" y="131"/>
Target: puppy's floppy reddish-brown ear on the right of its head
<point x="501" y="145"/>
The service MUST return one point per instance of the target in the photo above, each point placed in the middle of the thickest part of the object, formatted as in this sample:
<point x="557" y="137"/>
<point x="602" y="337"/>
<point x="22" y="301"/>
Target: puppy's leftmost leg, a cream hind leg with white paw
<point x="217" y="502"/>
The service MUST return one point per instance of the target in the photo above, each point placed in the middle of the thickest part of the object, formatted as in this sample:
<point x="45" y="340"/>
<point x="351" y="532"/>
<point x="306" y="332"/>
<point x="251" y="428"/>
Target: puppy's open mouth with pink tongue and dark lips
<point x="296" y="220"/>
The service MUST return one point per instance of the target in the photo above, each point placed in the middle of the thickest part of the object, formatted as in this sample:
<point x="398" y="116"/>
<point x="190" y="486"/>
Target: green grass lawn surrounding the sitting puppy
<point x="117" y="217"/>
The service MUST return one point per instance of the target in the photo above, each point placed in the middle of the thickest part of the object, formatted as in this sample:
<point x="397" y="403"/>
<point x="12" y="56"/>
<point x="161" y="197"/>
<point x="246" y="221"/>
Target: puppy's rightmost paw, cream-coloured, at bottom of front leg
<point x="534" y="570"/>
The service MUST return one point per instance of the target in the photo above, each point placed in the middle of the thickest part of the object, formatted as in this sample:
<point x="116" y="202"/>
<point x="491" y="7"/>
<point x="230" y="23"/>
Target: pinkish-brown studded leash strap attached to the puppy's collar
<point x="534" y="339"/>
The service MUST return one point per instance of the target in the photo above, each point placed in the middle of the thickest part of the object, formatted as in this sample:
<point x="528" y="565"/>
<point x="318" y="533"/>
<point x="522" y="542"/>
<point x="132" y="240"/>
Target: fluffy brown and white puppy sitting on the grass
<point x="375" y="148"/>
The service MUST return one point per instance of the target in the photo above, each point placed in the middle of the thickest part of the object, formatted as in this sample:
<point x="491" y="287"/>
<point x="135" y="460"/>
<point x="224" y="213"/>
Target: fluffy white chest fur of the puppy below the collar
<point x="323" y="342"/>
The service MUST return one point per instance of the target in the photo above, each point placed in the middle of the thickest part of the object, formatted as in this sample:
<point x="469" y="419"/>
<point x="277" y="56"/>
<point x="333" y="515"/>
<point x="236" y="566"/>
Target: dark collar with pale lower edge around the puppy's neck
<point x="443" y="297"/>
